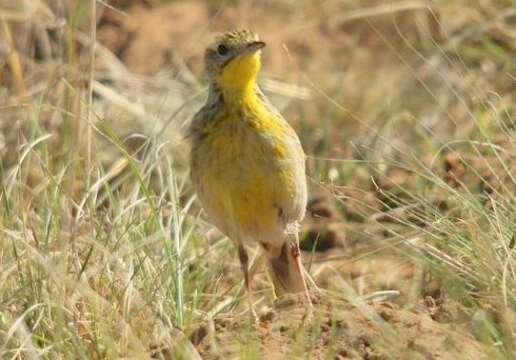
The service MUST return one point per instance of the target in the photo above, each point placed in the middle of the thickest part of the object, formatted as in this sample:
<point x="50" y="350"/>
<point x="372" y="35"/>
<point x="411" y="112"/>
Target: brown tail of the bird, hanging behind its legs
<point x="286" y="270"/>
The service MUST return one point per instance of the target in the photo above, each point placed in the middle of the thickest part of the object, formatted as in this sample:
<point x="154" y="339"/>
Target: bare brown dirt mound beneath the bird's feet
<point x="340" y="331"/>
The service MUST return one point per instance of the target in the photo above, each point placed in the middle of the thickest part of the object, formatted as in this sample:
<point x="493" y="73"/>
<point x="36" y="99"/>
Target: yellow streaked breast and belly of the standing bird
<point x="245" y="171"/>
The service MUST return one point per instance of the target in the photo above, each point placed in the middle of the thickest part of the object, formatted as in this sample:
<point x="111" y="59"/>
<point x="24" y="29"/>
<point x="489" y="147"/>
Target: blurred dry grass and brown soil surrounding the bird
<point x="406" y="113"/>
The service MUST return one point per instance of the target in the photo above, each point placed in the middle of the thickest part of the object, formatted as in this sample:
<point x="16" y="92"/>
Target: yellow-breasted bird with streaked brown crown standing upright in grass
<point x="247" y="164"/>
